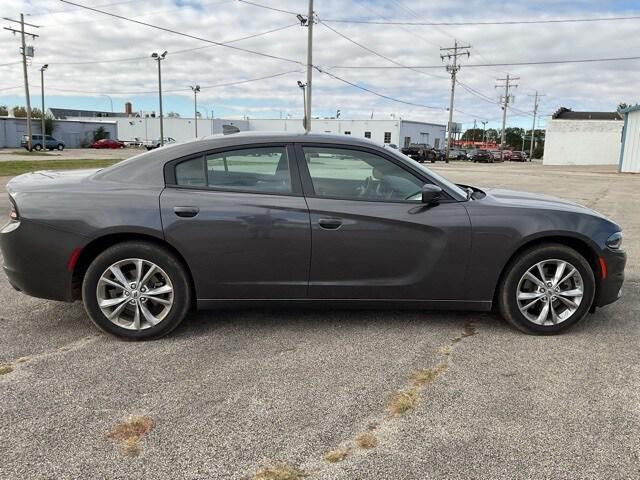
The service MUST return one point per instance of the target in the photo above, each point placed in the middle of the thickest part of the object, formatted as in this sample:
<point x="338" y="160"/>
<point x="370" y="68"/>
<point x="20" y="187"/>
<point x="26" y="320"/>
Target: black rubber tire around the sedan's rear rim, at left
<point x="163" y="258"/>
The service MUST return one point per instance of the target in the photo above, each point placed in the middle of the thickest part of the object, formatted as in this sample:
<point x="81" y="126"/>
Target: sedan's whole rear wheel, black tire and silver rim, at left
<point x="136" y="290"/>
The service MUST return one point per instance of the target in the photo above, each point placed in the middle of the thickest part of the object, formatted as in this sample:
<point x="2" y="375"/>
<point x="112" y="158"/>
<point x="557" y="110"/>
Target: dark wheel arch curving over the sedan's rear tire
<point x="100" y="244"/>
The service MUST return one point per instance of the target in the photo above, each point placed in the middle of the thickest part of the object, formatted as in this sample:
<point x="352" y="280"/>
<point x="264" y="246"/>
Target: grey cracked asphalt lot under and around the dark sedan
<point x="232" y="392"/>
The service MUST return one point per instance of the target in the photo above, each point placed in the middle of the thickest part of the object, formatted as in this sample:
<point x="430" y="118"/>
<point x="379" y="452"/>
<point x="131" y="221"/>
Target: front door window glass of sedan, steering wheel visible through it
<point x="357" y="175"/>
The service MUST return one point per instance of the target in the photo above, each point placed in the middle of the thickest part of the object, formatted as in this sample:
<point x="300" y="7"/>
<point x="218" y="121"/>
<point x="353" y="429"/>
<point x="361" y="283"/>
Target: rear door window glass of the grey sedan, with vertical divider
<point x="262" y="170"/>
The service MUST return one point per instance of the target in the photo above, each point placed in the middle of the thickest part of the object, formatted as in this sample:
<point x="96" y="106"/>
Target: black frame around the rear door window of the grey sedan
<point x="296" y="185"/>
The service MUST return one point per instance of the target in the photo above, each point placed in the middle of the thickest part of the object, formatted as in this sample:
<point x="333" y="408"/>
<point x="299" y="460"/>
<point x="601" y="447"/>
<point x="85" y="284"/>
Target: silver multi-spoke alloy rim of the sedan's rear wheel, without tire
<point x="135" y="294"/>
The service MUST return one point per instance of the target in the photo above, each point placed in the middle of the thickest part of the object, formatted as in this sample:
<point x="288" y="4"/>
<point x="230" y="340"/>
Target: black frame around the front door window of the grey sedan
<point x="307" y="182"/>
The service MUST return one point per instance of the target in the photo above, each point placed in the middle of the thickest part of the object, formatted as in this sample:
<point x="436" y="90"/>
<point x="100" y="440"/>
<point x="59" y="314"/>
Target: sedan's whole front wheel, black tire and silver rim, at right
<point x="546" y="290"/>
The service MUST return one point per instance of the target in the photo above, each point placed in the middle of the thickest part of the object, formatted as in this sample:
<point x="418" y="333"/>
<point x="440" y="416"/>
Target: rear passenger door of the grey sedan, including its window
<point x="239" y="219"/>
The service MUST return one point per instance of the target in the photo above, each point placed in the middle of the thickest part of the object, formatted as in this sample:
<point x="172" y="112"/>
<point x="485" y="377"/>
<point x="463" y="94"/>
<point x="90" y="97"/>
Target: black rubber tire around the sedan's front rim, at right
<point x="507" y="290"/>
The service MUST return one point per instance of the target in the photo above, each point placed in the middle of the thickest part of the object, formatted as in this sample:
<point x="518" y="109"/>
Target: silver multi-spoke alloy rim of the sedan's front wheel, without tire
<point x="550" y="292"/>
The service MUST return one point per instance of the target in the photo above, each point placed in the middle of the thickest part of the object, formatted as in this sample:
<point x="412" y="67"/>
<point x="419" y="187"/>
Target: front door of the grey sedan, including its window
<point x="372" y="237"/>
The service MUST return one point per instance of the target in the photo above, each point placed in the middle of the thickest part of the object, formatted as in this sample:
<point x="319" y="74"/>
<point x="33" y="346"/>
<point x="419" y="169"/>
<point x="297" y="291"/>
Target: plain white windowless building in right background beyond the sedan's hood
<point x="583" y="138"/>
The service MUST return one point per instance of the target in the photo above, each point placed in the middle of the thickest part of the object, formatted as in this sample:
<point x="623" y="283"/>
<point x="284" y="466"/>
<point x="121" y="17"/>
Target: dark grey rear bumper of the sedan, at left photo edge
<point x="35" y="259"/>
